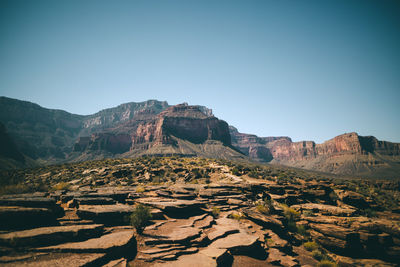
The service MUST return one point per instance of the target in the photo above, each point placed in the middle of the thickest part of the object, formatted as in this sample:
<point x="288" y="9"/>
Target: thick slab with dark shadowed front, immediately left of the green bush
<point x="107" y="214"/>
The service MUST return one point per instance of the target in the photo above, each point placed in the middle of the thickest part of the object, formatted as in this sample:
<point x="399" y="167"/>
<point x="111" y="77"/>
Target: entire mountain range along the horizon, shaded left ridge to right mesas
<point x="45" y="136"/>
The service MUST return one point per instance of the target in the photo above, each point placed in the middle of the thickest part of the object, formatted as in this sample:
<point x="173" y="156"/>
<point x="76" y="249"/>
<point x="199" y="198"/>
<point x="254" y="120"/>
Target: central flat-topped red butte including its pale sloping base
<point x="180" y="129"/>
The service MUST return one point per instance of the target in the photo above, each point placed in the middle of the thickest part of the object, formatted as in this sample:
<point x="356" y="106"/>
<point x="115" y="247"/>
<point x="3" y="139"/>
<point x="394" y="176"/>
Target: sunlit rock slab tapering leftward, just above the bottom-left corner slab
<point x="105" y="243"/>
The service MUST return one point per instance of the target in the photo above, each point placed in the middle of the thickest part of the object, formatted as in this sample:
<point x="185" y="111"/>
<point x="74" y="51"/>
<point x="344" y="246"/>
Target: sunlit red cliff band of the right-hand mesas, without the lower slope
<point x="283" y="150"/>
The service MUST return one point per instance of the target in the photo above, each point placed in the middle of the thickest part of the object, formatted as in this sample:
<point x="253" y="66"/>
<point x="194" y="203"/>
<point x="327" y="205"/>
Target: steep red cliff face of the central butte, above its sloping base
<point x="191" y="123"/>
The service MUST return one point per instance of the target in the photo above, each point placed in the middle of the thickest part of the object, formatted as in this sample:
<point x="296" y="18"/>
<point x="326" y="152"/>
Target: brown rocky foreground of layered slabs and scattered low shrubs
<point x="226" y="218"/>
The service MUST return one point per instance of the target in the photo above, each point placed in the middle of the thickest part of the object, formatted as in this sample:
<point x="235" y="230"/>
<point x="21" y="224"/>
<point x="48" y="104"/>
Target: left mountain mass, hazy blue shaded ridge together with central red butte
<point x="47" y="136"/>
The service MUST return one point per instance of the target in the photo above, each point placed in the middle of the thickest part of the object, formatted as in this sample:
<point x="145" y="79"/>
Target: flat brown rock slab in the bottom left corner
<point x="61" y="260"/>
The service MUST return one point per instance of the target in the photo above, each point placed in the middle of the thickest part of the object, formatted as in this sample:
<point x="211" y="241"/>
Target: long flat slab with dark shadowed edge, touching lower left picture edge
<point x="50" y="235"/>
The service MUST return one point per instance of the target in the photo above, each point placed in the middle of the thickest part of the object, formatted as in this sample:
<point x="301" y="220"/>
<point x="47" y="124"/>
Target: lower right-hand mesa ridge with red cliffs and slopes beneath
<point x="347" y="154"/>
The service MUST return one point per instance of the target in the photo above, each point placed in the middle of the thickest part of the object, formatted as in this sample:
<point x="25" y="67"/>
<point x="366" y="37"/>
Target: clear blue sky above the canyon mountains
<point x="310" y="70"/>
